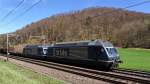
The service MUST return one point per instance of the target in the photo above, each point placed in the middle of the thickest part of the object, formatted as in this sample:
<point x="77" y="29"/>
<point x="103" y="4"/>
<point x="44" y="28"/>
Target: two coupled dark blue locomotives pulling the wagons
<point x="94" y="53"/>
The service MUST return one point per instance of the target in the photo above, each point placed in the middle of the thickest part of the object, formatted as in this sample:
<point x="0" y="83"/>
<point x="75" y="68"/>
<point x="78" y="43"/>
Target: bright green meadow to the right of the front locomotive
<point x="135" y="58"/>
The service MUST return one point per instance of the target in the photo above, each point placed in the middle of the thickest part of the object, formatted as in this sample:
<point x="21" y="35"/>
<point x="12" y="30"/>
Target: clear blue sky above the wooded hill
<point x="47" y="8"/>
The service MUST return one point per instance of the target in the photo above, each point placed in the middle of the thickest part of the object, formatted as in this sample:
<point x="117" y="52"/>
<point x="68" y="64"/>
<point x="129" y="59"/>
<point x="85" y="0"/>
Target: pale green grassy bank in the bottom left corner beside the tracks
<point x="13" y="74"/>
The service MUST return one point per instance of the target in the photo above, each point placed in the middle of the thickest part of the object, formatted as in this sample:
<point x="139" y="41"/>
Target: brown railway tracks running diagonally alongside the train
<point x="116" y="76"/>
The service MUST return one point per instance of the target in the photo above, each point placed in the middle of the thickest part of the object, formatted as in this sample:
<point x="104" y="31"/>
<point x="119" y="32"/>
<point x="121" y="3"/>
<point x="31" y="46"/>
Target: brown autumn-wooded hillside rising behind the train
<point x="123" y="28"/>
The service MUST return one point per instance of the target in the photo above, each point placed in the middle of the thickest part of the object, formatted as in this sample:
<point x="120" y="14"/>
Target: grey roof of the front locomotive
<point x="85" y="43"/>
